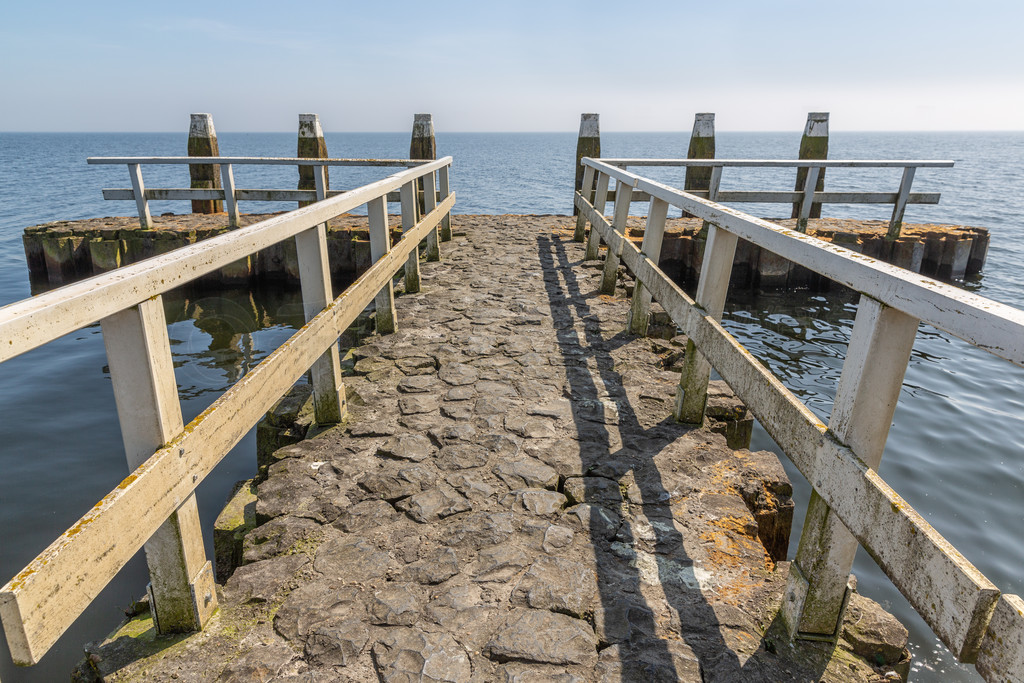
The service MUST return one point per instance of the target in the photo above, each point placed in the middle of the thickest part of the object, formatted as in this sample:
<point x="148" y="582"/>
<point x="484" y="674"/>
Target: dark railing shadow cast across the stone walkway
<point x="625" y="617"/>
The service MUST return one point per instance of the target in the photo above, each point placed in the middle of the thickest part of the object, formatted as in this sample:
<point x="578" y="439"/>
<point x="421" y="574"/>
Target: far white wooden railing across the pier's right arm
<point x="804" y="199"/>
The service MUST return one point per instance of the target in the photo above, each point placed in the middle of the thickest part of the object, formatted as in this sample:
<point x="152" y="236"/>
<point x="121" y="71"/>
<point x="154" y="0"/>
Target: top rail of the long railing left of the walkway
<point x="28" y="324"/>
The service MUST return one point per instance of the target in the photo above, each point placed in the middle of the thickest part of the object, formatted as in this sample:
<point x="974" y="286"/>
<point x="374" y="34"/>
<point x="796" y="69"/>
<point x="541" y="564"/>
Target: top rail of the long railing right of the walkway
<point x="994" y="327"/>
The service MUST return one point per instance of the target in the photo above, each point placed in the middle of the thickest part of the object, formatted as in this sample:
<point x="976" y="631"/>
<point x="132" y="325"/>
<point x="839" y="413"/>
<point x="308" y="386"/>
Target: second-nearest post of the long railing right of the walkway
<point x="692" y="397"/>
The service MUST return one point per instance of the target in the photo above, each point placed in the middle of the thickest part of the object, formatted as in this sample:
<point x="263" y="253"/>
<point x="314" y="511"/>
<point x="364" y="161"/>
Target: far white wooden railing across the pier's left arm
<point x="233" y="195"/>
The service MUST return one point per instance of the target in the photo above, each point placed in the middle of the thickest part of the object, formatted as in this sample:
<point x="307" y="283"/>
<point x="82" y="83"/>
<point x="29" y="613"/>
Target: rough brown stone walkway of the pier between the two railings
<point x="508" y="501"/>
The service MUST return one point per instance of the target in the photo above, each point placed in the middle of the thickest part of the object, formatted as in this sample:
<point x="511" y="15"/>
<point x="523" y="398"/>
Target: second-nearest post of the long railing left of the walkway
<point x="315" y="277"/>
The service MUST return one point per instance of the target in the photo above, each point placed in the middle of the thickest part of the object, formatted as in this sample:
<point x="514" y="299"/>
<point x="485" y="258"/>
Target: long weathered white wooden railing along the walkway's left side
<point x="155" y="506"/>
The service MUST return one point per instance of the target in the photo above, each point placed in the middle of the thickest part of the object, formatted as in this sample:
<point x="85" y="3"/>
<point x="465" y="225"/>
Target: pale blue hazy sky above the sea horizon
<point x="524" y="66"/>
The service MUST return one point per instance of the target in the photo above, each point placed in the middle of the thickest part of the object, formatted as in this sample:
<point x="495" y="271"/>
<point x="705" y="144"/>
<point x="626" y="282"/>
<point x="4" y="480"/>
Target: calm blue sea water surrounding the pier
<point x="955" y="452"/>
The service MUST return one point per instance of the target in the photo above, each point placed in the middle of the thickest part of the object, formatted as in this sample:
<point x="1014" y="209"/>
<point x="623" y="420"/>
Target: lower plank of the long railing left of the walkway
<point x="44" y="600"/>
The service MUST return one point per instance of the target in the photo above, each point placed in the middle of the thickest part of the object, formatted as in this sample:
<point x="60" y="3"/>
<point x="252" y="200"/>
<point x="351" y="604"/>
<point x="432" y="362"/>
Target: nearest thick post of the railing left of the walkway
<point x="139" y="354"/>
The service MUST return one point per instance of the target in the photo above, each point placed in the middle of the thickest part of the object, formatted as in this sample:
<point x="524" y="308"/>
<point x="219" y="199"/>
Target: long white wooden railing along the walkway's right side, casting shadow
<point x="840" y="460"/>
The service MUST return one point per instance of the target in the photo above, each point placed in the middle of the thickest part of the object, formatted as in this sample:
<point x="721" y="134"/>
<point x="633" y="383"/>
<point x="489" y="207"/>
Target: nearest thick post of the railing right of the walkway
<point x="866" y="400"/>
